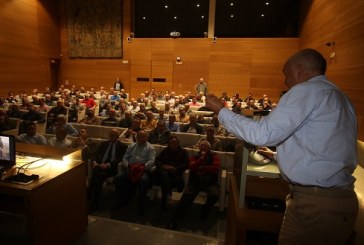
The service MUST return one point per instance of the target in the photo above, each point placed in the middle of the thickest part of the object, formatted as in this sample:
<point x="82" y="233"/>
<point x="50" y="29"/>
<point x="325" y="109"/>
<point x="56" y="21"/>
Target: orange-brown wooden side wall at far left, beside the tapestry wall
<point x="22" y="52"/>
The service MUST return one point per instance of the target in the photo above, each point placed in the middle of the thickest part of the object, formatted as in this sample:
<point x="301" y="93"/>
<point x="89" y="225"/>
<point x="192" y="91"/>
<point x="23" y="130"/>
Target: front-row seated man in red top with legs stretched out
<point x="204" y="170"/>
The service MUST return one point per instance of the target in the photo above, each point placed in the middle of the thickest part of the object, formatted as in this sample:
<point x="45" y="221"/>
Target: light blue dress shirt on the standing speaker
<point x="314" y="129"/>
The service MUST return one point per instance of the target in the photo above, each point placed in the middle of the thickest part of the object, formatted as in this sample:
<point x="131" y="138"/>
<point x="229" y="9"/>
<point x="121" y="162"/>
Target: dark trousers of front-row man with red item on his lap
<point x="125" y="188"/>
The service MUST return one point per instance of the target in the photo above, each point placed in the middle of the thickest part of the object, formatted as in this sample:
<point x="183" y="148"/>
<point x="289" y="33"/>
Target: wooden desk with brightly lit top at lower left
<point x="54" y="206"/>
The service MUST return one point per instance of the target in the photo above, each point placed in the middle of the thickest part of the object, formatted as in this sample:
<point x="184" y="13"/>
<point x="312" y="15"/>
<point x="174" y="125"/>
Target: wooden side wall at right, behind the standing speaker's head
<point x="340" y="22"/>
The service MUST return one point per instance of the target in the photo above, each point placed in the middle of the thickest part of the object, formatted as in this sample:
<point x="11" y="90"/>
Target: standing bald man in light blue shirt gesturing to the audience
<point x="314" y="129"/>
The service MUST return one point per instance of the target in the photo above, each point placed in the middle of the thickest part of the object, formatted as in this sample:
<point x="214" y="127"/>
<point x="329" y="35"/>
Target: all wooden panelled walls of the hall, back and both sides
<point x="234" y="65"/>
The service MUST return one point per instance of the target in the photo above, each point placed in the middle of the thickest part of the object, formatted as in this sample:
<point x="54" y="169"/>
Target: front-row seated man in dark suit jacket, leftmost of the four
<point x="109" y="154"/>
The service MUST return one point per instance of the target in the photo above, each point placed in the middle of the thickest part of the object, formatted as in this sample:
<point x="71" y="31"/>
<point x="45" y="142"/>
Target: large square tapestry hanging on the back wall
<point x="94" y="28"/>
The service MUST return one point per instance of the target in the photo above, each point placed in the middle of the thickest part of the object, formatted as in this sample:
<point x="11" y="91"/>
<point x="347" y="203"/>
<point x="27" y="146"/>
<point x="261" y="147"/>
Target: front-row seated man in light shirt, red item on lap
<point x="137" y="163"/>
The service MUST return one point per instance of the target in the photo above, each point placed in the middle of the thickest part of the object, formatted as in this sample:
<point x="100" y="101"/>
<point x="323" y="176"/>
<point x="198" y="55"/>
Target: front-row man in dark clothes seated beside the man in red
<point x="170" y="166"/>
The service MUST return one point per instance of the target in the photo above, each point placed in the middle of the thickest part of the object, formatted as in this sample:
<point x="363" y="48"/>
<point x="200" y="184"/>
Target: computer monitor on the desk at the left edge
<point x="7" y="151"/>
